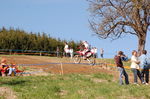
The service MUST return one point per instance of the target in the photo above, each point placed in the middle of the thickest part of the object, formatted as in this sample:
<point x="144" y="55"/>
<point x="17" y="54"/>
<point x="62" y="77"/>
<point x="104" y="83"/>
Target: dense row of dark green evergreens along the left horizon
<point x="22" y="40"/>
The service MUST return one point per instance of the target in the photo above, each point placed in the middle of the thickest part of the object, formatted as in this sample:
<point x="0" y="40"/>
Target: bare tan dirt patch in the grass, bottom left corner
<point x="7" y="93"/>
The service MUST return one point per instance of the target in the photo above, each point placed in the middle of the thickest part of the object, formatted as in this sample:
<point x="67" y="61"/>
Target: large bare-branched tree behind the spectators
<point x="114" y="18"/>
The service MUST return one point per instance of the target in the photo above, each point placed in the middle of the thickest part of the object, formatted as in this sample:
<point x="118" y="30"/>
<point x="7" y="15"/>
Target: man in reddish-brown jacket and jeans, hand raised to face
<point x="118" y="60"/>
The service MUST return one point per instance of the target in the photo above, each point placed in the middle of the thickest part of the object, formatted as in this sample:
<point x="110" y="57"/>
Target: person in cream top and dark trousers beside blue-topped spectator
<point x="135" y="67"/>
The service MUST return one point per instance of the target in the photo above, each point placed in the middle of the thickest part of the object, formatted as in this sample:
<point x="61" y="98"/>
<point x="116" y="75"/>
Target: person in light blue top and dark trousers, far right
<point x="144" y="67"/>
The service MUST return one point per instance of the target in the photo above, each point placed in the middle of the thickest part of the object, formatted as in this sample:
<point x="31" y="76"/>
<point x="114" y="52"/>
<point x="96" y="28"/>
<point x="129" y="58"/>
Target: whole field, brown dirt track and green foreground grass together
<point x="78" y="81"/>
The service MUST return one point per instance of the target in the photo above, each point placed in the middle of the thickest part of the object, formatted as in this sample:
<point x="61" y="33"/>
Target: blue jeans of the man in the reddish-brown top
<point x="122" y="73"/>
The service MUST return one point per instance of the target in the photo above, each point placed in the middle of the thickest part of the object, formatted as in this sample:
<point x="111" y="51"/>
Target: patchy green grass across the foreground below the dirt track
<point x="73" y="86"/>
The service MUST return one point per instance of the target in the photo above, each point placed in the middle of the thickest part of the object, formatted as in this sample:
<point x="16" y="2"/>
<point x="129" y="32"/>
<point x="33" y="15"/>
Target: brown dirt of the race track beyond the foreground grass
<point x="56" y="68"/>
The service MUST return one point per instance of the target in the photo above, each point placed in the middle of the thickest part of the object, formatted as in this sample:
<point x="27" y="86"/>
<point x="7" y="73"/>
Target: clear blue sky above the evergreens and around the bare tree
<point x="65" y="19"/>
